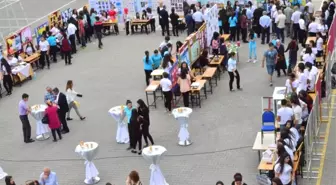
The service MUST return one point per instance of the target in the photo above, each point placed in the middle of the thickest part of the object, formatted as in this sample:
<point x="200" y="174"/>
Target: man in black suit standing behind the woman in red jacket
<point x="62" y="103"/>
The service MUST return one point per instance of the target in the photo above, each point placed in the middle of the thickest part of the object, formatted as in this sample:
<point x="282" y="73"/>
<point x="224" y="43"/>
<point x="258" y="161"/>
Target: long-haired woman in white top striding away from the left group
<point x="70" y="95"/>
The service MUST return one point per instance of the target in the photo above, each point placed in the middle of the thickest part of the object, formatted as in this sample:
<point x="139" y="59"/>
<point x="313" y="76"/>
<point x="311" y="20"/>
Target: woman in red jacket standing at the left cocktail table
<point x="53" y="120"/>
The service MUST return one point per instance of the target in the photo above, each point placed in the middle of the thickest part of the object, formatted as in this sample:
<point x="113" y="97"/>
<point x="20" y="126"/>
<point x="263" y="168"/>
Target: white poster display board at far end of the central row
<point x="211" y="19"/>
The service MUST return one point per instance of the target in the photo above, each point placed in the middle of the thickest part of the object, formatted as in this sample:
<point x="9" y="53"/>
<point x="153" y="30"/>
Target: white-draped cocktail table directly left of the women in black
<point x="122" y="135"/>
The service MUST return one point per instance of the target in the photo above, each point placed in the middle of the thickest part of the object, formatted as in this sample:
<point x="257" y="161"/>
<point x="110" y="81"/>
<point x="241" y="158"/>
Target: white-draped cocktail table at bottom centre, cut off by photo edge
<point x="153" y="155"/>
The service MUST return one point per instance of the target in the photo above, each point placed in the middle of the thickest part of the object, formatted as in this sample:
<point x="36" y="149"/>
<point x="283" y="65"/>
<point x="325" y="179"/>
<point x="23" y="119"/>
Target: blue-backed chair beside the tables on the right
<point x="268" y="124"/>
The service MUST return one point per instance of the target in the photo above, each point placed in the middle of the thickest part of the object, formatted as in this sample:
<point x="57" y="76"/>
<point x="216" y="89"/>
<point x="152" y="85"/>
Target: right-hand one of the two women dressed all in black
<point x="143" y="112"/>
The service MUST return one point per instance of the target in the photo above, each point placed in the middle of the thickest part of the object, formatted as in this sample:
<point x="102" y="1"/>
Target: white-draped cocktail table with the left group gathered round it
<point x="42" y="130"/>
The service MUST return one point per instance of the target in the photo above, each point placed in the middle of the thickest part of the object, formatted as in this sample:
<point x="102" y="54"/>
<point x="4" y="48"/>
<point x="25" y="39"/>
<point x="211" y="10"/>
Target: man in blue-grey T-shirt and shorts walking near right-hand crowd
<point x="270" y="57"/>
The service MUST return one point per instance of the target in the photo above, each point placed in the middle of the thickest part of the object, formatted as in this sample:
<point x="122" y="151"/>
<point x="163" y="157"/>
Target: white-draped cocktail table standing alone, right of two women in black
<point x="182" y="115"/>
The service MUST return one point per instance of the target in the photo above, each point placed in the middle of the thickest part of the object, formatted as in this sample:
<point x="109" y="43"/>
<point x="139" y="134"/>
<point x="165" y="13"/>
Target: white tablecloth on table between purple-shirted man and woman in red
<point x="38" y="113"/>
